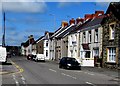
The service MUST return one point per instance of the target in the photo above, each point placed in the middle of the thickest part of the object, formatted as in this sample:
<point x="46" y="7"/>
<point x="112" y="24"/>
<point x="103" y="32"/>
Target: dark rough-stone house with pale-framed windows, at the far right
<point x="111" y="36"/>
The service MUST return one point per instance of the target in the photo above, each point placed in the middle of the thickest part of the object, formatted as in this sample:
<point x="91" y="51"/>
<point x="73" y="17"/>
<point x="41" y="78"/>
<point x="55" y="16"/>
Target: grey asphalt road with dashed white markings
<point x="30" y="72"/>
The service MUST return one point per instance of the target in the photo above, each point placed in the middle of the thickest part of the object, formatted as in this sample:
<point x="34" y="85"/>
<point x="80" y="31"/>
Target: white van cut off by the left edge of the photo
<point x="3" y="54"/>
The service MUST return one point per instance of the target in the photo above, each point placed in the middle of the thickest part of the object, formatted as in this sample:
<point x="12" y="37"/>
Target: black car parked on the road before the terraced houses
<point x="69" y="63"/>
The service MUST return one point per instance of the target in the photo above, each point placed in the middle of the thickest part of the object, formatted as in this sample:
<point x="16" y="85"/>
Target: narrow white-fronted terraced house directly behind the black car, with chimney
<point x="73" y="41"/>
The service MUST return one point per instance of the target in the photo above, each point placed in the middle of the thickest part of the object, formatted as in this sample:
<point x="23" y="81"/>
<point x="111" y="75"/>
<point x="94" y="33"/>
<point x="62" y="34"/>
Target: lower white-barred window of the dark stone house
<point x="111" y="54"/>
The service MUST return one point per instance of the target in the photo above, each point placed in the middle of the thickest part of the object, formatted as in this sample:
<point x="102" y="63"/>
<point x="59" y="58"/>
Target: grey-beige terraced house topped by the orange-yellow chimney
<point x="55" y="42"/>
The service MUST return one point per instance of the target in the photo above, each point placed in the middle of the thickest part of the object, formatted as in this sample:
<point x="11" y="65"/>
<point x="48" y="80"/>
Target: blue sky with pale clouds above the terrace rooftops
<point x="25" y="18"/>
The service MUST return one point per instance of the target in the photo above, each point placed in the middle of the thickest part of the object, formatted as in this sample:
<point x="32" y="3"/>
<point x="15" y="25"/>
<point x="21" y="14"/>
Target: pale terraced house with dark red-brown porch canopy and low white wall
<point x="91" y="40"/>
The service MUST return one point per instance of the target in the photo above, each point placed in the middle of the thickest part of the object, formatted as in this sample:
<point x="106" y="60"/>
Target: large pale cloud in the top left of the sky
<point x="24" y="6"/>
